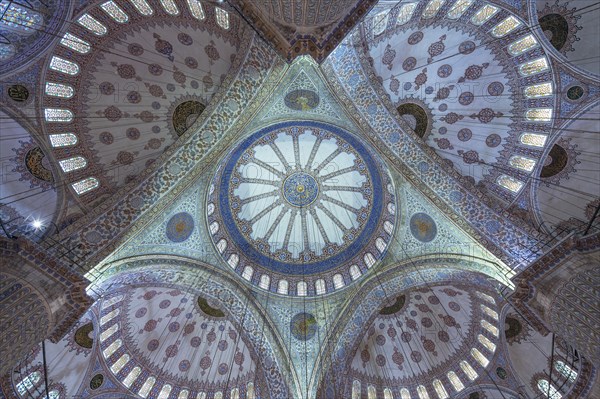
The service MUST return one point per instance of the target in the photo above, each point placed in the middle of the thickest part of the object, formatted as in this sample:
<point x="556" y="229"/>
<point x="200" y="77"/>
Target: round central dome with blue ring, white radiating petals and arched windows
<point x="300" y="198"/>
